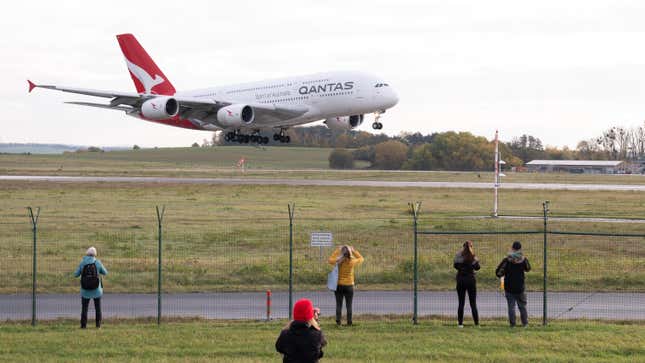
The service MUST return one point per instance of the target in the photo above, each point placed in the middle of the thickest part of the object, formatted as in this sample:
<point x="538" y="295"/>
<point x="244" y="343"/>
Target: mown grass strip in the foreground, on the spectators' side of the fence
<point x="382" y="340"/>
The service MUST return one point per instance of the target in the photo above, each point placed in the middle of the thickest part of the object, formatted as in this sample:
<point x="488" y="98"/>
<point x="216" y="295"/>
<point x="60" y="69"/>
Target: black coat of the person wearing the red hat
<point x="300" y="343"/>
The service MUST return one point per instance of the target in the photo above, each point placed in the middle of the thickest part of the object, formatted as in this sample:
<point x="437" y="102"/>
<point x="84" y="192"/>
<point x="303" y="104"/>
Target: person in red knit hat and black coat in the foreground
<point x="301" y="340"/>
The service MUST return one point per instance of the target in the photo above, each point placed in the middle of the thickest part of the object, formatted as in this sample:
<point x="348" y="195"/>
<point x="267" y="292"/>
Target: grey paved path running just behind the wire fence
<point x="248" y="305"/>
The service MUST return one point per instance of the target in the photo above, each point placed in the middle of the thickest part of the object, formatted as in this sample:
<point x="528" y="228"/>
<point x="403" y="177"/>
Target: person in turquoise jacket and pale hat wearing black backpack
<point x="91" y="286"/>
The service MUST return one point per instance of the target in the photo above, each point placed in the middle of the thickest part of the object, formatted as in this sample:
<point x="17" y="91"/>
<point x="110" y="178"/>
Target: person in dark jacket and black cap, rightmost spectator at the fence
<point x="512" y="269"/>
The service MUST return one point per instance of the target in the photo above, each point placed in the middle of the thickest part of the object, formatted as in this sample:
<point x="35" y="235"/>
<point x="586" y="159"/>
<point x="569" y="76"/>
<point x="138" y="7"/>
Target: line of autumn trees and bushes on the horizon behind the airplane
<point x="457" y="150"/>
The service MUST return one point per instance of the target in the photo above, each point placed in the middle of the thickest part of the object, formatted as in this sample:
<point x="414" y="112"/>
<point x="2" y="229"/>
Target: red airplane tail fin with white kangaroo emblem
<point x="147" y="77"/>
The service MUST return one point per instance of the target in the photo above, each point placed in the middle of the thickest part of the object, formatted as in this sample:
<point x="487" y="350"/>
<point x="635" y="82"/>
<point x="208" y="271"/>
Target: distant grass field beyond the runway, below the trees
<point x="269" y="162"/>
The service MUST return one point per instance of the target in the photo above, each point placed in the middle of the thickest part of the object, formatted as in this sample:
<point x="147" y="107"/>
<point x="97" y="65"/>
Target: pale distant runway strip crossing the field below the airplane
<point x="320" y="182"/>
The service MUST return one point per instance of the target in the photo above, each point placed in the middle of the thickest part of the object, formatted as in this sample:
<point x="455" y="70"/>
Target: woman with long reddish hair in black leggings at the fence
<point x="466" y="263"/>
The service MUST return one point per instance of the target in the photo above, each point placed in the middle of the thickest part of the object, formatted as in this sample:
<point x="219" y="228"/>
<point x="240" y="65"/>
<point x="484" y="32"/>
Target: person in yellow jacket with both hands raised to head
<point x="346" y="257"/>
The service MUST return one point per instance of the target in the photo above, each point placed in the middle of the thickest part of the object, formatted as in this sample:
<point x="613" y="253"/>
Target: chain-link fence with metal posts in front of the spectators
<point x="255" y="269"/>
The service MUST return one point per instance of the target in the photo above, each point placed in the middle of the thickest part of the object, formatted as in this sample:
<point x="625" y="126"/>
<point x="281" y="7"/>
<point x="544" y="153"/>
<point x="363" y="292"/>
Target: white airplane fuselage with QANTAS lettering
<point x="325" y="95"/>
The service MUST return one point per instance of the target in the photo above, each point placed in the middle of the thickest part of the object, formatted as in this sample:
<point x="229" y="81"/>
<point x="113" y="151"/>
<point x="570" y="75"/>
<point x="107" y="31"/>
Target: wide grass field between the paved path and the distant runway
<point x="231" y="238"/>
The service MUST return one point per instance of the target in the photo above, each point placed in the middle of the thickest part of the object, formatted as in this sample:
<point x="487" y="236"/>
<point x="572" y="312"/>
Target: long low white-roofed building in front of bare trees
<point x="577" y="166"/>
